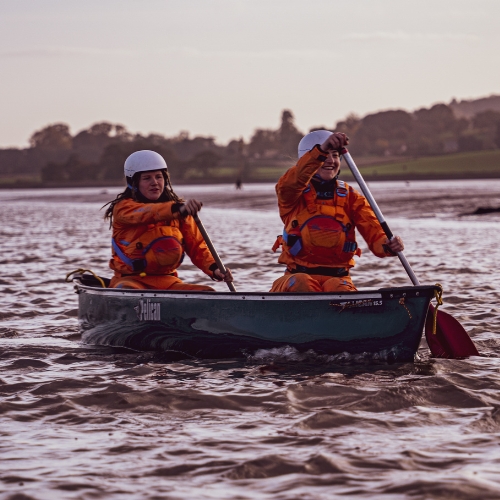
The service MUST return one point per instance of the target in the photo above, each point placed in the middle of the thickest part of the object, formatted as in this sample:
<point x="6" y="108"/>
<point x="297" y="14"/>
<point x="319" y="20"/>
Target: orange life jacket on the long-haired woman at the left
<point x="158" y="250"/>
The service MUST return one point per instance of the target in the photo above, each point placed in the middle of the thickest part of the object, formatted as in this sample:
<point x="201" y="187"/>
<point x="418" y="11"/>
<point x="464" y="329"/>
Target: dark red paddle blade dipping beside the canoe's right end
<point x="450" y="340"/>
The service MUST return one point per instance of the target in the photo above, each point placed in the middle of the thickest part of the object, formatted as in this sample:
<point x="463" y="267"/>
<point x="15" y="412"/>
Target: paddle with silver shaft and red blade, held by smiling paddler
<point x="449" y="340"/>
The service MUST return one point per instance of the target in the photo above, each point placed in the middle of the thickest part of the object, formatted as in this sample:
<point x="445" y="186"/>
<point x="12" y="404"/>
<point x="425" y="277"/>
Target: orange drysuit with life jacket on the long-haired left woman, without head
<point x="149" y="242"/>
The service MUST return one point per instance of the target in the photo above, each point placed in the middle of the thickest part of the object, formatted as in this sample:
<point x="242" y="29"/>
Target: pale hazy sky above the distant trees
<point x="223" y="68"/>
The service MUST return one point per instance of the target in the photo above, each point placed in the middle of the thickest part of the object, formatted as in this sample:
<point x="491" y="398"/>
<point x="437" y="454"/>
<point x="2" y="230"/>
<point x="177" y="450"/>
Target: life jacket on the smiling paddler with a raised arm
<point x="321" y="233"/>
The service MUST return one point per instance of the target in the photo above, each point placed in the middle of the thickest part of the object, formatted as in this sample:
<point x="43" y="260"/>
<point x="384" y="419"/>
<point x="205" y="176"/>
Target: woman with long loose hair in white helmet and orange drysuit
<point x="153" y="228"/>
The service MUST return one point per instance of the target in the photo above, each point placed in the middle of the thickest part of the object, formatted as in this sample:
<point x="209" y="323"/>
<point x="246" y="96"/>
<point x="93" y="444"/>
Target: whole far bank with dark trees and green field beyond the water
<point x="460" y="140"/>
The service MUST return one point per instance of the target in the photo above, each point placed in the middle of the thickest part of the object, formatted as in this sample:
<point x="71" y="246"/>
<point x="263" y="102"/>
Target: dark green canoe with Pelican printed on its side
<point x="387" y="321"/>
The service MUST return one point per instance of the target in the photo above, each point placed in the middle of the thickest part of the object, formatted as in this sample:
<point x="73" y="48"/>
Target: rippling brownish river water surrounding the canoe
<point x="83" y="422"/>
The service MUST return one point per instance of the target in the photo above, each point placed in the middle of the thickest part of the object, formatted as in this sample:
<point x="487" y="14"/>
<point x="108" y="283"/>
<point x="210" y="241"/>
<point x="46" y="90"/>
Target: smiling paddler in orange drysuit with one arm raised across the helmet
<point x="320" y="213"/>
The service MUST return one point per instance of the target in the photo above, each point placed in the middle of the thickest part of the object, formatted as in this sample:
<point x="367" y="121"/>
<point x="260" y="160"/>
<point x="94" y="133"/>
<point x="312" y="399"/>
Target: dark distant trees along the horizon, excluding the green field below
<point x="98" y="153"/>
